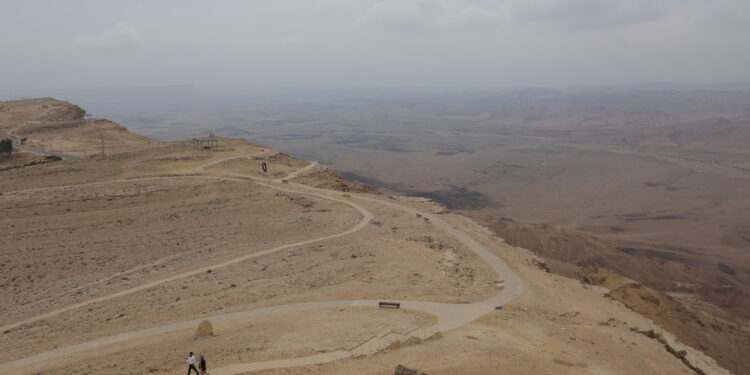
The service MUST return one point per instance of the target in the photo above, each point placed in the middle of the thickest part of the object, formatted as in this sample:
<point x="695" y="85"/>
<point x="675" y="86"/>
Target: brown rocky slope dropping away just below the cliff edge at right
<point x="705" y="325"/>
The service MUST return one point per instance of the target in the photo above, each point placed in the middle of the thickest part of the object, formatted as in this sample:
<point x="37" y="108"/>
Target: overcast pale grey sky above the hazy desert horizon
<point x="371" y="43"/>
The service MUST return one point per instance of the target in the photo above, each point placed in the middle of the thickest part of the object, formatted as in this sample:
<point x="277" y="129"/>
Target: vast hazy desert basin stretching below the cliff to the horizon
<point x="645" y="183"/>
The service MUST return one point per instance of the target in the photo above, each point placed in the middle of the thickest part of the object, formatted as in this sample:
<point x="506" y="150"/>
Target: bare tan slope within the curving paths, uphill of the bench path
<point x="96" y="257"/>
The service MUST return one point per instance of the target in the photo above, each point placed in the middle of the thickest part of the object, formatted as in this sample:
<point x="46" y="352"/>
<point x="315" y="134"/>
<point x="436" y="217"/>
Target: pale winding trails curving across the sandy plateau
<point x="449" y="316"/>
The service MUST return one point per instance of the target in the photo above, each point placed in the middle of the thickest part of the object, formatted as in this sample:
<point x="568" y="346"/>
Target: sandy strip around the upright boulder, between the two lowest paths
<point x="257" y="339"/>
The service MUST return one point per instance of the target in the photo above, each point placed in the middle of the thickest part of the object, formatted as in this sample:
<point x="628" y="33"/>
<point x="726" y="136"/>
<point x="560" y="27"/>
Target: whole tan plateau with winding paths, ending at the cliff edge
<point x="112" y="260"/>
